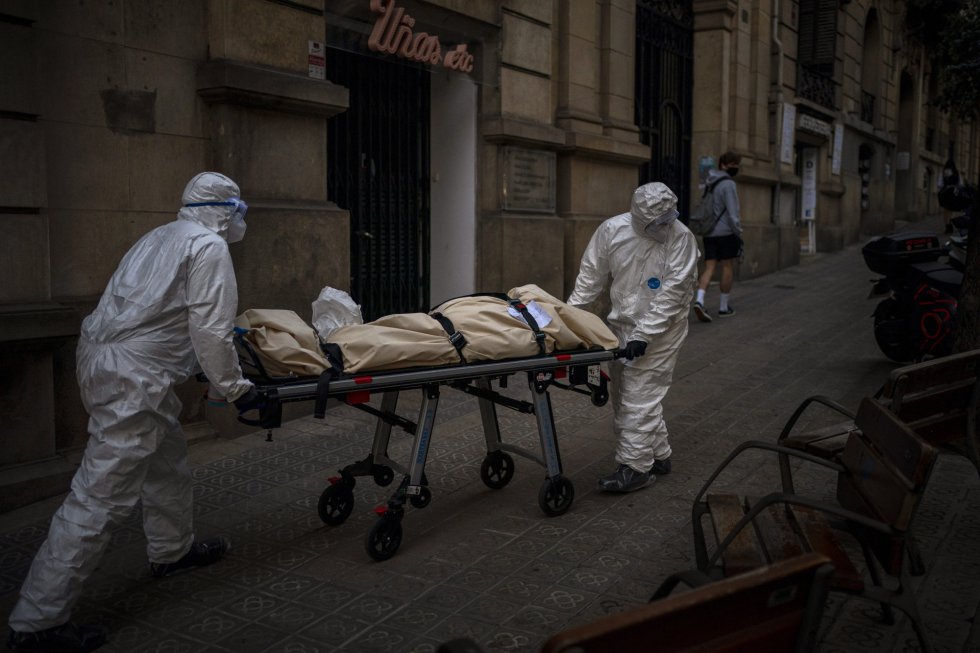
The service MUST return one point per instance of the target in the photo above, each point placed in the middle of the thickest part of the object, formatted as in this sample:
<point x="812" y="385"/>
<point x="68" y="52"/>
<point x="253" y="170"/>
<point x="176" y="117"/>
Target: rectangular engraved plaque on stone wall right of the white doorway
<point x="528" y="182"/>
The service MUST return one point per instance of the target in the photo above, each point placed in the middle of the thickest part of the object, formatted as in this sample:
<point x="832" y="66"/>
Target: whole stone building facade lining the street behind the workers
<point x="409" y="151"/>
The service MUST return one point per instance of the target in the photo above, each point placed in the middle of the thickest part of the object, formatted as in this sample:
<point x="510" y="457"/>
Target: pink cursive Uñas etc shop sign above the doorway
<point x="394" y="33"/>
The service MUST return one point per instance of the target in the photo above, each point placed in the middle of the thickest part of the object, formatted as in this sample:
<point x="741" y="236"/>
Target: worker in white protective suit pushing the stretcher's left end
<point x="169" y="306"/>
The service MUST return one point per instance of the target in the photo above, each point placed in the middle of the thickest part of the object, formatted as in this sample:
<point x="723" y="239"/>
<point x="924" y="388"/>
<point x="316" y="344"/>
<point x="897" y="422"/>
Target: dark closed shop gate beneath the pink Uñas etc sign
<point x="378" y="169"/>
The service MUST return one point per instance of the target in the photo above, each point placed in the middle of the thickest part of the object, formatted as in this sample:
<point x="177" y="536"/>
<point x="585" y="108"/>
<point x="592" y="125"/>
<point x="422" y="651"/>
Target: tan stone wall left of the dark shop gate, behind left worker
<point x="108" y="109"/>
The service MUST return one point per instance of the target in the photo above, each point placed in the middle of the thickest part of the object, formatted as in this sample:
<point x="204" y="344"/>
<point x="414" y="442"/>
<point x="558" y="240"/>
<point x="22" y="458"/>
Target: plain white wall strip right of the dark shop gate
<point x="453" y="187"/>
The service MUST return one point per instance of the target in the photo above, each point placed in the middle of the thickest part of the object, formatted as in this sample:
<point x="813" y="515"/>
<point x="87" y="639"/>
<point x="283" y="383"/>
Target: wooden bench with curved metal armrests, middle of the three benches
<point x="881" y="475"/>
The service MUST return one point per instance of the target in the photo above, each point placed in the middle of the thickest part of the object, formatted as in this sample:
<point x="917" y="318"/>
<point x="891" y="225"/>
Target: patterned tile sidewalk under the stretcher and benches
<point x="487" y="563"/>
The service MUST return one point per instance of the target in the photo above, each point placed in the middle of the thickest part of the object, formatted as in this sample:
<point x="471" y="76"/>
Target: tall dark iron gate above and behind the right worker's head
<point x="664" y="76"/>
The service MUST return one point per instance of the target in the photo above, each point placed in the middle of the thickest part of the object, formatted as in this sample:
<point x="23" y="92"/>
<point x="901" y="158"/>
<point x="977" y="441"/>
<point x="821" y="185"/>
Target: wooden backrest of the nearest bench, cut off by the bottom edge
<point x="773" y="609"/>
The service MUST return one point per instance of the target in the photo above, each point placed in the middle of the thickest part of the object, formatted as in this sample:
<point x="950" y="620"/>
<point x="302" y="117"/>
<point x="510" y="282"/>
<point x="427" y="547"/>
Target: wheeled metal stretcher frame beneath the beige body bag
<point x="577" y="371"/>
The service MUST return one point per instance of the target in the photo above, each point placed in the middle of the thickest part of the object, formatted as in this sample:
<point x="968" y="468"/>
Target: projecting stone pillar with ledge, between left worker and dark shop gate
<point x="267" y="129"/>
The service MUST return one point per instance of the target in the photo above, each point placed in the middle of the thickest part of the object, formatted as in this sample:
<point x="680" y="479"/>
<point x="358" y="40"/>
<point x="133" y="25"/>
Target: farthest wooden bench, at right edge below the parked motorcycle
<point x="938" y="399"/>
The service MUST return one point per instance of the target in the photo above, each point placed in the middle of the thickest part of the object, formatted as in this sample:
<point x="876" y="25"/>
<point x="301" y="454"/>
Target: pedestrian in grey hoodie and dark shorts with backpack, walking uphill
<point x="723" y="243"/>
